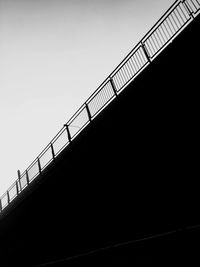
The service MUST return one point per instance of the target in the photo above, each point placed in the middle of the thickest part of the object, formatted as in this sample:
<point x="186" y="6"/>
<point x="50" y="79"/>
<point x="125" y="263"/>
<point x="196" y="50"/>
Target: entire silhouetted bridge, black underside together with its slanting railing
<point x="118" y="183"/>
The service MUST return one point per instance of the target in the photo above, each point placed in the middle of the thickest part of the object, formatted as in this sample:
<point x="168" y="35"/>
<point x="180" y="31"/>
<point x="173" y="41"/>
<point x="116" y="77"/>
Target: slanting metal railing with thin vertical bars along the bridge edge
<point x="177" y="17"/>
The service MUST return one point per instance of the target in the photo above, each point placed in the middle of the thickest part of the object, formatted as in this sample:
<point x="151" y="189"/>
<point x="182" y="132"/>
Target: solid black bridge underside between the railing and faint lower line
<point x="130" y="174"/>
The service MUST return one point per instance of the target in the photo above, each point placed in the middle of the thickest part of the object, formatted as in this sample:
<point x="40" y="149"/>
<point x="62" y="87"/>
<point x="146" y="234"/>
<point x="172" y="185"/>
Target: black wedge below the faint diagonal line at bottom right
<point x="161" y="249"/>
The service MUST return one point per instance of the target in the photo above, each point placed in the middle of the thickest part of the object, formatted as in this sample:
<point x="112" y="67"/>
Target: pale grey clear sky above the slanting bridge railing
<point x="53" y="55"/>
